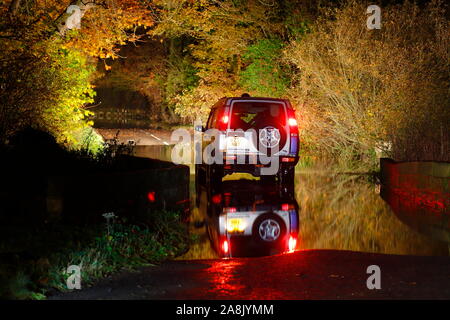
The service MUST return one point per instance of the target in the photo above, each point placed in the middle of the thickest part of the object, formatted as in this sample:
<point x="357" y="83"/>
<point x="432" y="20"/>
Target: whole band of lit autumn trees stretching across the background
<point x="351" y="98"/>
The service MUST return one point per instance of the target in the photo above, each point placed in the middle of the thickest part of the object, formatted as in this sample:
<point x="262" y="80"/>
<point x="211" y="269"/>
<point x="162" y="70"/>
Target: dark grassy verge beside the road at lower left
<point x="35" y="259"/>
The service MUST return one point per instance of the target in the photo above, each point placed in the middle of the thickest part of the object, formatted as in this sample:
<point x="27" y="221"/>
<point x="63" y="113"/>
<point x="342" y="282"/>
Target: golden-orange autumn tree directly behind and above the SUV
<point x="217" y="35"/>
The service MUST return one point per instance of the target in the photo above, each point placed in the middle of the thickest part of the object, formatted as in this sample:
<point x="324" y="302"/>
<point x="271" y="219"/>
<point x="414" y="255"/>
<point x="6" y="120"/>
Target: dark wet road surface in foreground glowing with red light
<point x="309" y="274"/>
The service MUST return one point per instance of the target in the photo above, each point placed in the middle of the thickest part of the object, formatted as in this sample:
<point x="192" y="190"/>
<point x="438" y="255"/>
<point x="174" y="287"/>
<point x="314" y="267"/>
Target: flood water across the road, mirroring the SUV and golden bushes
<point x="322" y="211"/>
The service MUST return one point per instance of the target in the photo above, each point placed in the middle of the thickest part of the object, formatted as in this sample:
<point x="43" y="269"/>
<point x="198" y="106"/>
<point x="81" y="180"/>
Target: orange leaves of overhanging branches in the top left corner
<point x="104" y="26"/>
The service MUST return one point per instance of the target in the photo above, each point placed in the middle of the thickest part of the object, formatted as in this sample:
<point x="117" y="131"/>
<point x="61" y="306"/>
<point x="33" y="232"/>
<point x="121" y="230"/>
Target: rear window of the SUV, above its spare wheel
<point x="253" y="115"/>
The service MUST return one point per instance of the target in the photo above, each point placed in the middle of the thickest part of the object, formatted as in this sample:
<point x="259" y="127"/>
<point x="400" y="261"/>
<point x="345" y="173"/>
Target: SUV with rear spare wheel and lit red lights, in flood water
<point x="253" y="135"/>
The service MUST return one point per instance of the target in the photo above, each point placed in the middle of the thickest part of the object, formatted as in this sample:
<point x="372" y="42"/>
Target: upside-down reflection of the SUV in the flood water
<point x="246" y="218"/>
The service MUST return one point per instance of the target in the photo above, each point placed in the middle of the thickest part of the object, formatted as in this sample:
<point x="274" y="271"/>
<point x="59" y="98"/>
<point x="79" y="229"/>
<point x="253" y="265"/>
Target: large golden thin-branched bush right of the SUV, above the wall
<point x="363" y="93"/>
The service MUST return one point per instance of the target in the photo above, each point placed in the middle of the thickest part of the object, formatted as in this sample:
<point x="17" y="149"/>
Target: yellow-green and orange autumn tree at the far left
<point x="46" y="65"/>
